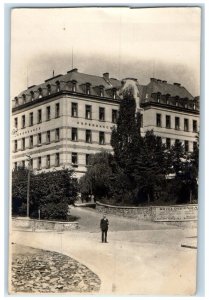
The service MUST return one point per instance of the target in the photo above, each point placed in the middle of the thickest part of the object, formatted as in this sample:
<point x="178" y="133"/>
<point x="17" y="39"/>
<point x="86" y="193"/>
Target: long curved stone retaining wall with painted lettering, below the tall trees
<point x="174" y="213"/>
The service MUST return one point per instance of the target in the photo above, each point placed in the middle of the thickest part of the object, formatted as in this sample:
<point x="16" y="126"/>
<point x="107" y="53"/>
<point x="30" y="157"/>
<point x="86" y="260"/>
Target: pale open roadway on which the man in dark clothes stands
<point x="140" y="260"/>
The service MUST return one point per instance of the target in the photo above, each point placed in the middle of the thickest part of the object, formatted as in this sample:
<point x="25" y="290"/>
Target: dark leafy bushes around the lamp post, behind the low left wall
<point x="48" y="191"/>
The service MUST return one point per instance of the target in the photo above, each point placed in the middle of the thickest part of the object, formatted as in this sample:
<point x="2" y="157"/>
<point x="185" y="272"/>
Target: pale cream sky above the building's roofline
<point x="141" y="43"/>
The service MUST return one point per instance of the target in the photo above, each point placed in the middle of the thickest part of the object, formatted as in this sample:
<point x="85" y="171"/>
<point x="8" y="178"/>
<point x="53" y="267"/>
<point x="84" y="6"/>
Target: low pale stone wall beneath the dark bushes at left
<point x="32" y="224"/>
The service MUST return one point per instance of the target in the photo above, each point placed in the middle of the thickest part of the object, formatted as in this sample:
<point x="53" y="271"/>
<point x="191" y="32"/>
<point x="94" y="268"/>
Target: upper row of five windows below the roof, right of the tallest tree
<point x="177" y="123"/>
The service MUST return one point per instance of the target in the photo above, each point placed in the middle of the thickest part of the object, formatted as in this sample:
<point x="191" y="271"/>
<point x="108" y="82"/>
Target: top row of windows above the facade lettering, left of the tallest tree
<point x="74" y="113"/>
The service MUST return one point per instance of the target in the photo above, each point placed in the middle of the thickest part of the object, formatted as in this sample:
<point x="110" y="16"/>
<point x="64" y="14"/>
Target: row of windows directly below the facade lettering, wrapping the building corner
<point x="74" y="137"/>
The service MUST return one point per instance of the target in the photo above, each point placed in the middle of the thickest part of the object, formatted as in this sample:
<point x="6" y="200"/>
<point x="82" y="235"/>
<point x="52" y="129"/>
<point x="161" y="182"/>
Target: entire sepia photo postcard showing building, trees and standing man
<point x="105" y="114"/>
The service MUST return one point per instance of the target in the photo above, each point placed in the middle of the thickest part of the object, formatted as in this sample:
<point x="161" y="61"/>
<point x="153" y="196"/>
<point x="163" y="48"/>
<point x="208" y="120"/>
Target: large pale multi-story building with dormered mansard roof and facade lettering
<point x="60" y="122"/>
